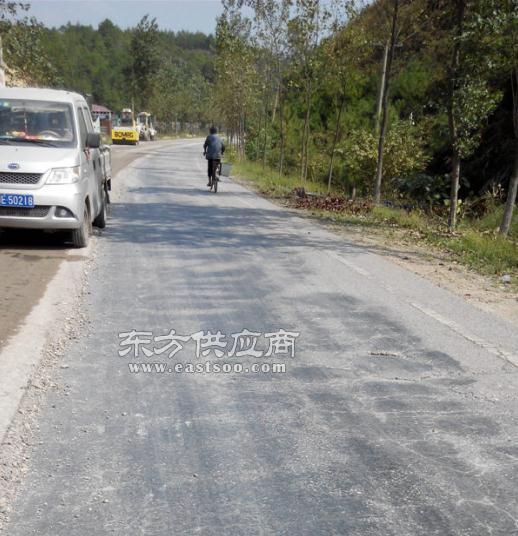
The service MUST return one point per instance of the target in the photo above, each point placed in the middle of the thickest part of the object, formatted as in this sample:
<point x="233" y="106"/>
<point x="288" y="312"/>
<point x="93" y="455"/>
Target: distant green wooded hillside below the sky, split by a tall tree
<point x="99" y="62"/>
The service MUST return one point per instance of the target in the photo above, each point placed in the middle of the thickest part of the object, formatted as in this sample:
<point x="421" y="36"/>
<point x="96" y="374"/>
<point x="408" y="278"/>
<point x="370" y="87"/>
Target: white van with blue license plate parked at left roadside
<point x="53" y="172"/>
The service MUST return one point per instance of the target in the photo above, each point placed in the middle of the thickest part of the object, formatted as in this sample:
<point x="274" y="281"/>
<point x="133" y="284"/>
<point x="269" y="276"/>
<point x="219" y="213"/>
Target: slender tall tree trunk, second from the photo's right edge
<point x="452" y="120"/>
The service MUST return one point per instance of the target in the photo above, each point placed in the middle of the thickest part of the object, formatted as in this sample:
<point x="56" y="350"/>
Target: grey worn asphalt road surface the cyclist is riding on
<point x="397" y="414"/>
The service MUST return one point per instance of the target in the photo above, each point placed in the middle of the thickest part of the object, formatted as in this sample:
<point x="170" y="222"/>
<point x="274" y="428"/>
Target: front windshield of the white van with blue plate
<point x="37" y="122"/>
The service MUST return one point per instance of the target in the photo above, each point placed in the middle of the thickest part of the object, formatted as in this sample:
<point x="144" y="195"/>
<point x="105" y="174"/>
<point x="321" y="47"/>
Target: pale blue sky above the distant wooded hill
<point x="193" y="15"/>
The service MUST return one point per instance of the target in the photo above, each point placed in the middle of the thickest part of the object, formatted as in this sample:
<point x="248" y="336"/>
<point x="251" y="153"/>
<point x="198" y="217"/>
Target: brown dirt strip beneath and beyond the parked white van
<point x="29" y="259"/>
